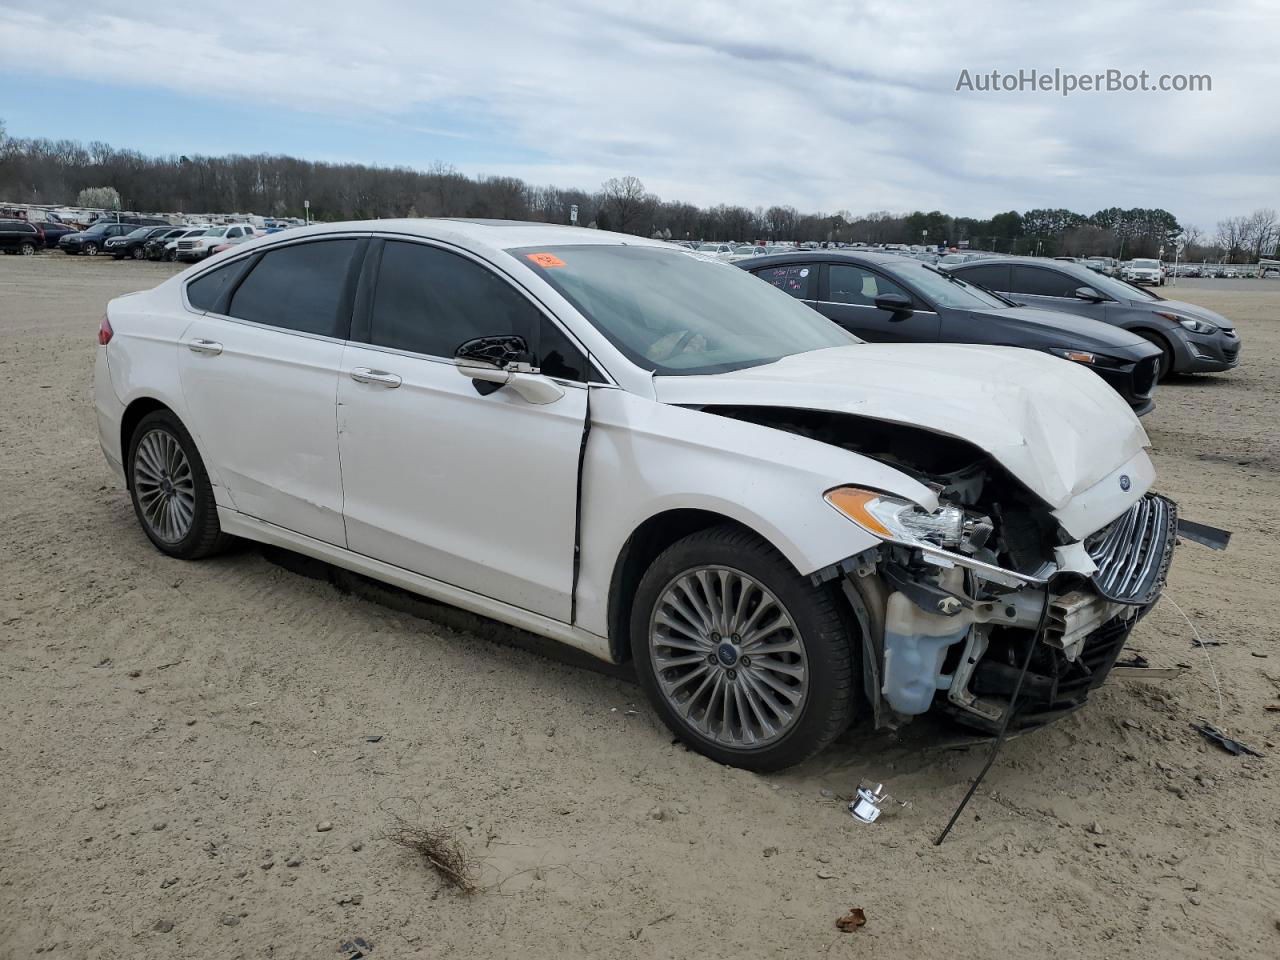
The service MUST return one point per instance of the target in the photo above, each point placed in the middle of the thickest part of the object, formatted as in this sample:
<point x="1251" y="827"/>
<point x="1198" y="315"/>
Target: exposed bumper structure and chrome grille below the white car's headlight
<point x="952" y="630"/>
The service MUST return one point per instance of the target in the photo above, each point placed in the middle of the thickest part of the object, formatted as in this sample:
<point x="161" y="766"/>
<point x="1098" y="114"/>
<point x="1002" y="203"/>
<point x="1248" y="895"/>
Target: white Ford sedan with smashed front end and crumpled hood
<point x="653" y="458"/>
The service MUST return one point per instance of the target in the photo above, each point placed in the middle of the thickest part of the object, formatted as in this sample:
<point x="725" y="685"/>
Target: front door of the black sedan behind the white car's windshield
<point x="848" y="296"/>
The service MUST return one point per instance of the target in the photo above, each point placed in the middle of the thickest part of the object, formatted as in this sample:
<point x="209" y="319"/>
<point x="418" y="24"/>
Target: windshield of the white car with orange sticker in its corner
<point x="680" y="314"/>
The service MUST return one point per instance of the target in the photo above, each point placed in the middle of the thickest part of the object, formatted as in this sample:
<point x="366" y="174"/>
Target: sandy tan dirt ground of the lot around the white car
<point x="172" y="734"/>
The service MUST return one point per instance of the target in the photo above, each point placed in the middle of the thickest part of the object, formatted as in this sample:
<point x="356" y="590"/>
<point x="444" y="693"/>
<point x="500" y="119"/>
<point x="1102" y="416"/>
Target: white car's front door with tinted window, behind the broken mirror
<point x="473" y="490"/>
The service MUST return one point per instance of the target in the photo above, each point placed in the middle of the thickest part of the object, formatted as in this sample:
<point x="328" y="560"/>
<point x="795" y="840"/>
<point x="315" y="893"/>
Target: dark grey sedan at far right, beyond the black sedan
<point x="1192" y="340"/>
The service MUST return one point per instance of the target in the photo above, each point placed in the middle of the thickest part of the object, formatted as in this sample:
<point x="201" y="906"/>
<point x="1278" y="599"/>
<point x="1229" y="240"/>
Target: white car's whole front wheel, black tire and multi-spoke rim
<point x="819" y="675"/>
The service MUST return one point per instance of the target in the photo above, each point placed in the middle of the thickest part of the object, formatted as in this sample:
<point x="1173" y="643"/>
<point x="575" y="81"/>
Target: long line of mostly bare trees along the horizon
<point x="40" y="171"/>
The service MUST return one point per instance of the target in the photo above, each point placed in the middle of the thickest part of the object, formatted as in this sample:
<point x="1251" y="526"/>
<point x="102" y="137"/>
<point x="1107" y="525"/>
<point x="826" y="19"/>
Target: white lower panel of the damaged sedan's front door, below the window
<point x="481" y="492"/>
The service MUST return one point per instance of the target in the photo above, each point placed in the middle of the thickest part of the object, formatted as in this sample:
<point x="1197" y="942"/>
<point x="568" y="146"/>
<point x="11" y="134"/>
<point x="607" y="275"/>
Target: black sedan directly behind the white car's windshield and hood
<point x="886" y="298"/>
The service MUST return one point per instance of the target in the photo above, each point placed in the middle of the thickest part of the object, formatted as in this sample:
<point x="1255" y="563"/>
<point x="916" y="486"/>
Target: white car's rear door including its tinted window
<point x="260" y="377"/>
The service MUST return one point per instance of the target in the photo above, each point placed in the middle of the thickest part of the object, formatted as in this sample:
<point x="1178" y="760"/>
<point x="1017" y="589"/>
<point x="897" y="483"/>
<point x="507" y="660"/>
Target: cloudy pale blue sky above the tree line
<point x="825" y="107"/>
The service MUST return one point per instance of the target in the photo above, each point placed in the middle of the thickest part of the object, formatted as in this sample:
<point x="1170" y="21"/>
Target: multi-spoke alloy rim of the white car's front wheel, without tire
<point x="729" y="657"/>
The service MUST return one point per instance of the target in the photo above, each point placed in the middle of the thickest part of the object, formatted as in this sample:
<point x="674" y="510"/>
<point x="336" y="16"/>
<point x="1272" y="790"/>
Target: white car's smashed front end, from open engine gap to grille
<point x="952" y="600"/>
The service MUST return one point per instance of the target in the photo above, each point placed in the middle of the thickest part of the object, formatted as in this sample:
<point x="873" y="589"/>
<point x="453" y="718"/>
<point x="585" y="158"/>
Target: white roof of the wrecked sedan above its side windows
<point x="501" y="235"/>
